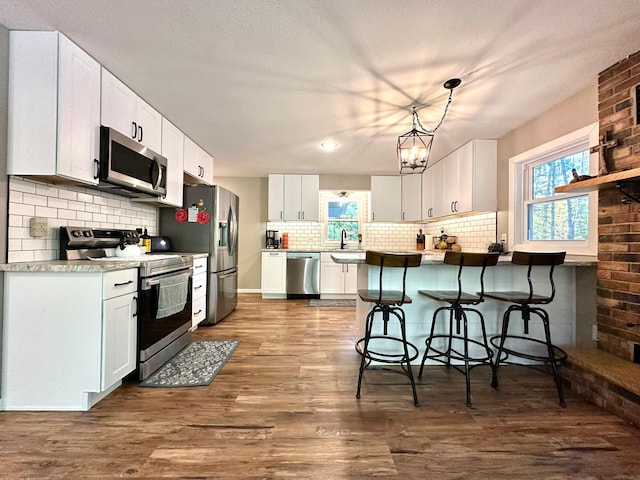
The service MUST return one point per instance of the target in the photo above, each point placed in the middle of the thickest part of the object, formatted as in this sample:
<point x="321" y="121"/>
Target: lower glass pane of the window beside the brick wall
<point x="566" y="219"/>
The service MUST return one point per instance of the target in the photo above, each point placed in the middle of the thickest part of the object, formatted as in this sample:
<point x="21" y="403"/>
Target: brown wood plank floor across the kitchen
<point x="284" y="407"/>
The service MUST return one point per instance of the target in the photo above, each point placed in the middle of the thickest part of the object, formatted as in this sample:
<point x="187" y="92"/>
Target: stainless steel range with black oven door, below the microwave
<point x="161" y="332"/>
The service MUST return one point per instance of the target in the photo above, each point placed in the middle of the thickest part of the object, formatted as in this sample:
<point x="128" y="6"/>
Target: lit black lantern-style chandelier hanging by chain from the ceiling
<point x="414" y="147"/>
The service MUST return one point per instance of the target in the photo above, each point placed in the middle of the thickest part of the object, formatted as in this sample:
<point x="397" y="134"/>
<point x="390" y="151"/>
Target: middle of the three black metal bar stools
<point x="459" y="304"/>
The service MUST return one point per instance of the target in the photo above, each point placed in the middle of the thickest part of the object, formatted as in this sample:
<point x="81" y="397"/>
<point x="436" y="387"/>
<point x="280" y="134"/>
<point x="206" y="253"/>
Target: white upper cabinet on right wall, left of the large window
<point x="464" y="181"/>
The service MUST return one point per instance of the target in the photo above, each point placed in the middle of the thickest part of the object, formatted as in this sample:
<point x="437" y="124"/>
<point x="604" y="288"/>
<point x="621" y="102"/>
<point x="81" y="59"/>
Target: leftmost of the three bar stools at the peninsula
<point x="375" y="347"/>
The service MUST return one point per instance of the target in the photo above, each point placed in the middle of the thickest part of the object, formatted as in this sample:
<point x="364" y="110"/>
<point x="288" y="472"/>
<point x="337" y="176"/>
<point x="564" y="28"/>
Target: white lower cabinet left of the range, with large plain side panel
<point x="69" y="337"/>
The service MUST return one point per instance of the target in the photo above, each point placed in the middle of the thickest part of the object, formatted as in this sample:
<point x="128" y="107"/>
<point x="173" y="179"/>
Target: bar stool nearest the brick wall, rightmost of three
<point x="526" y="302"/>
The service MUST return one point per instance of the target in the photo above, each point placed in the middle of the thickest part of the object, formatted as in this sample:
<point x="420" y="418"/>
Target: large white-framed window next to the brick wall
<point x="540" y="219"/>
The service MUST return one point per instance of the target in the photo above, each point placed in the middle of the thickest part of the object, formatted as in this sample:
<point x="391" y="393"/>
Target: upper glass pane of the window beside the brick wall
<point x="547" y="176"/>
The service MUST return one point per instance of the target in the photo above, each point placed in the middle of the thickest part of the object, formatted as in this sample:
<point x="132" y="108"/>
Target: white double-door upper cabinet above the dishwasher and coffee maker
<point x="294" y="197"/>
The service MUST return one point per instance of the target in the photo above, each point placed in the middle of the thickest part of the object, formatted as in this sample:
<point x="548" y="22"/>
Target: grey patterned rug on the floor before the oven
<point x="195" y="365"/>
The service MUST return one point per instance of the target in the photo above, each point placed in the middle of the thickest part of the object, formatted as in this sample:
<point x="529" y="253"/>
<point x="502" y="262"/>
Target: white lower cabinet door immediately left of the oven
<point x="119" y="339"/>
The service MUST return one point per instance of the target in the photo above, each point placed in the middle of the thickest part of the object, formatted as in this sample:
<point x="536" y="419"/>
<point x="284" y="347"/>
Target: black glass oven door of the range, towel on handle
<point x="156" y="330"/>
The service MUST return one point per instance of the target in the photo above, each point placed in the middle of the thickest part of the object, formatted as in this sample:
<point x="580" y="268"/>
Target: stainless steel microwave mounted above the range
<point x="129" y="168"/>
